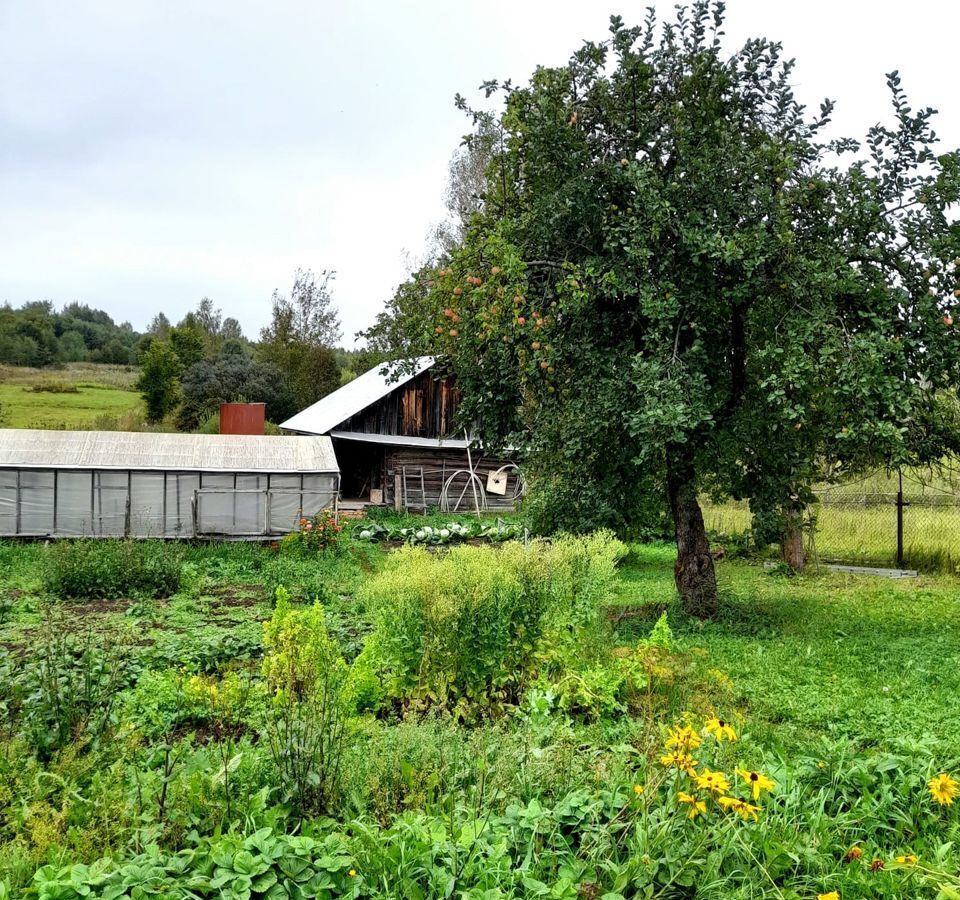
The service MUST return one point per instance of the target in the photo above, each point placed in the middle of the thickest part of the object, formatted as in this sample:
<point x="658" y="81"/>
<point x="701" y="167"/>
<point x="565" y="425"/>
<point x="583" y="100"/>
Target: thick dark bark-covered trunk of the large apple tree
<point x="694" y="573"/>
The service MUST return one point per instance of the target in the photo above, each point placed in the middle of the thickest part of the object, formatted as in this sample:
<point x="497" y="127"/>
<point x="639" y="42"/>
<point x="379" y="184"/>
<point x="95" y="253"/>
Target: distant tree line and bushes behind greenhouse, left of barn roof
<point x="187" y="370"/>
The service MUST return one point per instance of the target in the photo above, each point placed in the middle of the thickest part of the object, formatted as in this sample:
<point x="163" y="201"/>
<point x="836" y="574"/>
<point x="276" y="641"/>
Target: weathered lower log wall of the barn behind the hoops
<point x="438" y="465"/>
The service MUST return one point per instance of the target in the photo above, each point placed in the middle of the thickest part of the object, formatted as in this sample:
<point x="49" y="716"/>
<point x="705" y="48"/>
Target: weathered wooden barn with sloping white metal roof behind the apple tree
<point x="395" y="442"/>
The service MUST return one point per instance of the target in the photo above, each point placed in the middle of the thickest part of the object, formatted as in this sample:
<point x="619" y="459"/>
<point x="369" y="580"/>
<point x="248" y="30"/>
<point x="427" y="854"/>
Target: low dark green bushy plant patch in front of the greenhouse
<point x="107" y="569"/>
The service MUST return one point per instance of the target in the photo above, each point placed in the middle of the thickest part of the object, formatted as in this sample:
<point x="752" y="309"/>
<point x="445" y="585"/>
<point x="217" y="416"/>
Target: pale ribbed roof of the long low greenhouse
<point x="23" y="448"/>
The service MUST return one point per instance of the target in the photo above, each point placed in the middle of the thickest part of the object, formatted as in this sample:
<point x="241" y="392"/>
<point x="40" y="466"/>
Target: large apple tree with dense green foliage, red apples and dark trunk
<point x="675" y="277"/>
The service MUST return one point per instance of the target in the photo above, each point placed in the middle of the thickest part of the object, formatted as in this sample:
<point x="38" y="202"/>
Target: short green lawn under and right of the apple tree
<point x="870" y="660"/>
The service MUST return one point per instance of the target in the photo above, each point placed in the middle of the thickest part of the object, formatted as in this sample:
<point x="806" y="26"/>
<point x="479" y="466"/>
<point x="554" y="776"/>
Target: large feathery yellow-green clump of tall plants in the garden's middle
<point x="462" y="629"/>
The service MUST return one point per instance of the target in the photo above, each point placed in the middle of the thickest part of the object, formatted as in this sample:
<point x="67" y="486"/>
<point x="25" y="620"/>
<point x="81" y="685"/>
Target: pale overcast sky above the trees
<point x="152" y="153"/>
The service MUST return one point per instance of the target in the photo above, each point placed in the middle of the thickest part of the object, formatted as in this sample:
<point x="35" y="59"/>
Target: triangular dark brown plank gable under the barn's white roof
<point x="424" y="407"/>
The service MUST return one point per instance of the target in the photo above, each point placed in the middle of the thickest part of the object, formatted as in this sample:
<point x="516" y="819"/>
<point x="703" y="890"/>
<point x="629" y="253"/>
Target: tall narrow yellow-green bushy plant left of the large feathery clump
<point x="307" y="679"/>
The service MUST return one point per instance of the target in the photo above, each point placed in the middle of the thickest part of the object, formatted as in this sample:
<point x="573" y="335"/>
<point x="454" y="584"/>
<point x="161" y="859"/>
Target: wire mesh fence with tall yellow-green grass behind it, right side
<point x="886" y="519"/>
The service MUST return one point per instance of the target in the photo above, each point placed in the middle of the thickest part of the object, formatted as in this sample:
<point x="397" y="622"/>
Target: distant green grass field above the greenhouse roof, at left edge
<point x="104" y="397"/>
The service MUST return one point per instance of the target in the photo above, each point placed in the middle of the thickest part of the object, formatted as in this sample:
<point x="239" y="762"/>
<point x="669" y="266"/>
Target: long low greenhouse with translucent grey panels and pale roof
<point x="124" y="484"/>
